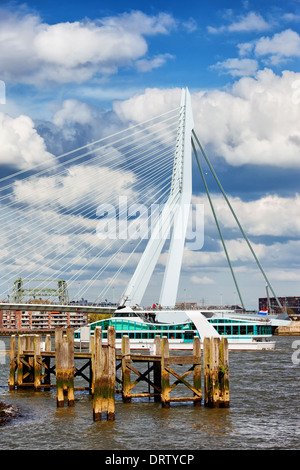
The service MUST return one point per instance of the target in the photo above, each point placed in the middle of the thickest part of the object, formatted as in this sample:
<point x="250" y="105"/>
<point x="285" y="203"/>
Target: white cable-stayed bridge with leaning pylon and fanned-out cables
<point x="106" y="207"/>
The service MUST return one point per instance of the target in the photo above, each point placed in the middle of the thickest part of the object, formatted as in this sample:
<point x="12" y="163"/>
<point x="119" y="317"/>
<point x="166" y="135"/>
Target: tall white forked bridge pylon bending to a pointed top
<point x="175" y="213"/>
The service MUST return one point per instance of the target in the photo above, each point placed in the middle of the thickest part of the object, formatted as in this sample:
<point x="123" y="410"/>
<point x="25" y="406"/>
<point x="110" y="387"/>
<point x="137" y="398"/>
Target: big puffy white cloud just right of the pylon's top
<point x="254" y="122"/>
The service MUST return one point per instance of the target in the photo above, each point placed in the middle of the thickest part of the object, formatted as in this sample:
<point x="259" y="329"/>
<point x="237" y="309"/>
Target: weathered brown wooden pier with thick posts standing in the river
<point x="106" y="371"/>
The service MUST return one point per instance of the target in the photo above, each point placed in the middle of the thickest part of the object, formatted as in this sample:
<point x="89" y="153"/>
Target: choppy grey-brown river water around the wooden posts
<point x="263" y="413"/>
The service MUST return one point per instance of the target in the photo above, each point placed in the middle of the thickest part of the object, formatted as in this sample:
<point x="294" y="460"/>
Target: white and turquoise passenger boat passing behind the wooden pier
<point x="244" y="332"/>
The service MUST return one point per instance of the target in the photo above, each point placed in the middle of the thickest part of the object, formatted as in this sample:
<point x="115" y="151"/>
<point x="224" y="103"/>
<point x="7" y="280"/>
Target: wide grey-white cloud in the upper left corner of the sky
<point x="35" y="52"/>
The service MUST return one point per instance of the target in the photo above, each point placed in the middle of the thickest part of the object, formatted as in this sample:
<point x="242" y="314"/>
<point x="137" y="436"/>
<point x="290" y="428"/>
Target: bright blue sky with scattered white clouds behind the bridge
<point x="73" y="72"/>
